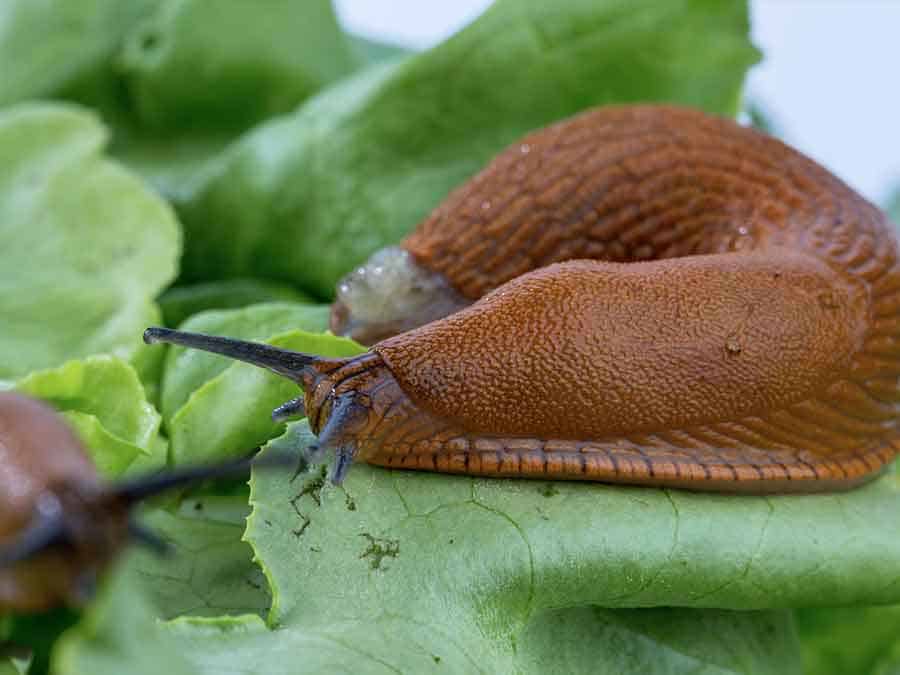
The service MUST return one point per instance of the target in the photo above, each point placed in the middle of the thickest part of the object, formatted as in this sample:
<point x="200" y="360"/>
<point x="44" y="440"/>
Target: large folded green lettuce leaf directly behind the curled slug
<point x="306" y="197"/>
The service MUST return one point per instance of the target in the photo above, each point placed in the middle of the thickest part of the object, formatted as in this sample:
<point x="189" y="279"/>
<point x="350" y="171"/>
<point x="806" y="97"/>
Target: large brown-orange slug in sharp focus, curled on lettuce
<point x="728" y="319"/>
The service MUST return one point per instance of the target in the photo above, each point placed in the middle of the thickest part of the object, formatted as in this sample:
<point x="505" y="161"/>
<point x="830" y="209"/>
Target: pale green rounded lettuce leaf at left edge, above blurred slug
<point x="84" y="245"/>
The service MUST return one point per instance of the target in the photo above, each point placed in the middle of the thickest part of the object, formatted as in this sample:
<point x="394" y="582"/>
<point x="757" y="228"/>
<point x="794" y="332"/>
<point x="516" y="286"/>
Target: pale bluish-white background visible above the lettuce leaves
<point x="830" y="76"/>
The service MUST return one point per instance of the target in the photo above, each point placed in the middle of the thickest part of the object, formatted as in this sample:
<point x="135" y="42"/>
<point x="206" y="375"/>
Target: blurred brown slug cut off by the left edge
<point x="60" y="526"/>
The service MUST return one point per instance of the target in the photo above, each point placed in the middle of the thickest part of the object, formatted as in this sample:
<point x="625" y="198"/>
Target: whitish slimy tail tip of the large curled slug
<point x="390" y="294"/>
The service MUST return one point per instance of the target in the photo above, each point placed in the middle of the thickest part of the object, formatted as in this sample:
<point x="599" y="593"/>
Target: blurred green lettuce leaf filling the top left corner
<point x="175" y="79"/>
